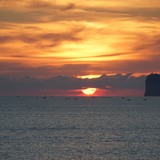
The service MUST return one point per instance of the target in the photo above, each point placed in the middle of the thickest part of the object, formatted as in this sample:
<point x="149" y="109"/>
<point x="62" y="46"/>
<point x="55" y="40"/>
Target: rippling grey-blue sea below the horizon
<point x="76" y="128"/>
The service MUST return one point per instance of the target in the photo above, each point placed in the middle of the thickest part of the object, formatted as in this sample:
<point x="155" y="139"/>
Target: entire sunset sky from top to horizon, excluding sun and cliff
<point x="46" y="46"/>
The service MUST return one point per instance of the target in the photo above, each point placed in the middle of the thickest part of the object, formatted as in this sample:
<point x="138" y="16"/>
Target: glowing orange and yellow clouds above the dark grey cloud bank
<point x="69" y="37"/>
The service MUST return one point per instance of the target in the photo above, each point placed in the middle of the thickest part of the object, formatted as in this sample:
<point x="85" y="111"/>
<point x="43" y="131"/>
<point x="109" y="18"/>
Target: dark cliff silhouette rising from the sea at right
<point x="152" y="85"/>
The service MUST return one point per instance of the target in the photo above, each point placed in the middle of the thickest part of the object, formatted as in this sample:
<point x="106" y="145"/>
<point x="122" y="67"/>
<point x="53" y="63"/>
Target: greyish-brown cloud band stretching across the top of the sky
<point x="48" y="11"/>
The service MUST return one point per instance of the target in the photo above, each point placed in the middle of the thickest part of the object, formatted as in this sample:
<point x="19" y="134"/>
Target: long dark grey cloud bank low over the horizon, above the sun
<point x="105" y="82"/>
